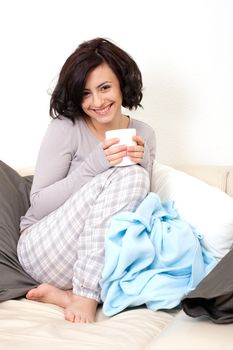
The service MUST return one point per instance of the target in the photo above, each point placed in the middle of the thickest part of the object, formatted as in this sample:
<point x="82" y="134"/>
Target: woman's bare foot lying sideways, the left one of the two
<point x="46" y="293"/>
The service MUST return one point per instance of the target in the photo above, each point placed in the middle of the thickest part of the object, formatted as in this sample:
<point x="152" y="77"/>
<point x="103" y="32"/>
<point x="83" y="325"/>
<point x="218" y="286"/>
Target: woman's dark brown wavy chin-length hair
<point x="67" y="96"/>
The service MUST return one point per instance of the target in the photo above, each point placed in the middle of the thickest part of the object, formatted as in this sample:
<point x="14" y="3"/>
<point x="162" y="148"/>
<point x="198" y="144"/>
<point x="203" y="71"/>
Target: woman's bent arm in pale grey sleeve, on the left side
<point x="53" y="181"/>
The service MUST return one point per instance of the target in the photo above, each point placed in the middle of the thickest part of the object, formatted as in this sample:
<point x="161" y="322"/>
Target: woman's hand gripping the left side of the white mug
<point x="114" y="154"/>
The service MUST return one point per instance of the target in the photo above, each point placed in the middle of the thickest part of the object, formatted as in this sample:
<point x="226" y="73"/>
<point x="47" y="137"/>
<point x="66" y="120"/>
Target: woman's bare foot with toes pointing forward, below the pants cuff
<point x="81" y="309"/>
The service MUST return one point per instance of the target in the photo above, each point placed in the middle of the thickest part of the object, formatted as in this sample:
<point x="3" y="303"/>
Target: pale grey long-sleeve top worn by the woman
<point x="70" y="156"/>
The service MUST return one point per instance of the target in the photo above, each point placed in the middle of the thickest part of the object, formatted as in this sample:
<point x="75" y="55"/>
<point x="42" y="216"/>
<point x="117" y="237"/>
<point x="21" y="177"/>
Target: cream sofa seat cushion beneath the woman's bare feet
<point x="27" y="325"/>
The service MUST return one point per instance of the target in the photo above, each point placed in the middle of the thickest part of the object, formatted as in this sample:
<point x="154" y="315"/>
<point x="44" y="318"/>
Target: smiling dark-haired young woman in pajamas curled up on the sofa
<point x="77" y="185"/>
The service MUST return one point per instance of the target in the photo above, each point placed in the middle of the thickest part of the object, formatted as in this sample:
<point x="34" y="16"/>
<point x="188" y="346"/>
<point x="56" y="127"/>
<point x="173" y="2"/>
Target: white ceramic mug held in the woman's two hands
<point x="126" y="138"/>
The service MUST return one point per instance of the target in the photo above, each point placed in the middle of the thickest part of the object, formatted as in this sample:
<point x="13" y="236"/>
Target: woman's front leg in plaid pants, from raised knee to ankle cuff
<point x="123" y="191"/>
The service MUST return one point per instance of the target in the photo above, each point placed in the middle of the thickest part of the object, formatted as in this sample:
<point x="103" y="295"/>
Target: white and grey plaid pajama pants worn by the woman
<point x="66" y="248"/>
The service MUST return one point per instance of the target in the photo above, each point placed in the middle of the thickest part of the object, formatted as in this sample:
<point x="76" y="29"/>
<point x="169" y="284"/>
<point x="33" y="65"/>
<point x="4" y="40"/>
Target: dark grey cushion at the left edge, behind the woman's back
<point x="14" y="202"/>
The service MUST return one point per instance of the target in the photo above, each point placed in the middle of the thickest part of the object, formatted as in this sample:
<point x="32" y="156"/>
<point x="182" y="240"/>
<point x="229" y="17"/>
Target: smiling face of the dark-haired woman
<point x="102" y="97"/>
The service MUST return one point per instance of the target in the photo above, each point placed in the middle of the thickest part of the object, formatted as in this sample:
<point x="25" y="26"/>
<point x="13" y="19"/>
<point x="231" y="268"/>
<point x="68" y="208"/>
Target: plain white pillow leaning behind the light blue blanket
<point x="206" y="208"/>
